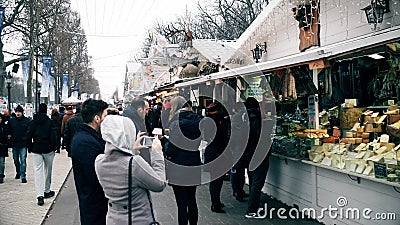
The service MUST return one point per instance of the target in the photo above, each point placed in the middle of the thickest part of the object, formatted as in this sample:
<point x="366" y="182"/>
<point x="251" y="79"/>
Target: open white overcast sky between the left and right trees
<point x="115" y="30"/>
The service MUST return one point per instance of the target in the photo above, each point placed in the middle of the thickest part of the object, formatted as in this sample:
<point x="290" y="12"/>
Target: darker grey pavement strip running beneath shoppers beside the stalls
<point x="66" y="212"/>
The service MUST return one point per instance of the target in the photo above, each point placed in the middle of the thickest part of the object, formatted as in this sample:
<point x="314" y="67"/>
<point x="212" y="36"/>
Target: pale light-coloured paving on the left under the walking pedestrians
<point x="18" y="201"/>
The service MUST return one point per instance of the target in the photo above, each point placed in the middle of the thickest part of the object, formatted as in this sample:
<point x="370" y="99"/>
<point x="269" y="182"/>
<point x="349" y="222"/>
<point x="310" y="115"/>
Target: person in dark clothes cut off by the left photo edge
<point x="4" y="142"/>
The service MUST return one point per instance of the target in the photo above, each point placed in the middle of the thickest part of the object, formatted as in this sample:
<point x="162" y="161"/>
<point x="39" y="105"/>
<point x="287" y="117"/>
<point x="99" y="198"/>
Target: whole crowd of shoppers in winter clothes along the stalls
<point x="104" y="146"/>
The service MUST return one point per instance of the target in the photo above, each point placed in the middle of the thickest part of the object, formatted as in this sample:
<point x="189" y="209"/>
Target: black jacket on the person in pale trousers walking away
<point x="42" y="135"/>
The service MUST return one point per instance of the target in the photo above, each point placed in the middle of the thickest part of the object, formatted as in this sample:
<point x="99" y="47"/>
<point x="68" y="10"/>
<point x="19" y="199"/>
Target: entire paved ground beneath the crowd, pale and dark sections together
<point x="18" y="203"/>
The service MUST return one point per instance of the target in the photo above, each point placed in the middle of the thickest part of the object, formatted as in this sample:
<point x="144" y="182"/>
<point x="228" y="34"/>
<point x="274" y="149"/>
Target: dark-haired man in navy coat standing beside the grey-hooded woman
<point x="86" y="145"/>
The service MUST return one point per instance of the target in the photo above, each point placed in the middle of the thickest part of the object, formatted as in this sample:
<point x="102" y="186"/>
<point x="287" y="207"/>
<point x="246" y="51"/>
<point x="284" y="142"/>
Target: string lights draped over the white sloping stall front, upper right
<point x="269" y="28"/>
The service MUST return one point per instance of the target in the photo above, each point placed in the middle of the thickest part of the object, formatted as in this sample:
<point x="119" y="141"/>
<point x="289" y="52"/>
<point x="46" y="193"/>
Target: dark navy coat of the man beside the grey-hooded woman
<point x="86" y="145"/>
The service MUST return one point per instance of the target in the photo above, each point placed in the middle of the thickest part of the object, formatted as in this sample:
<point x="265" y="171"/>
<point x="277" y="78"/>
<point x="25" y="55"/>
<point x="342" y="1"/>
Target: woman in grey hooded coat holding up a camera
<point x="112" y="172"/>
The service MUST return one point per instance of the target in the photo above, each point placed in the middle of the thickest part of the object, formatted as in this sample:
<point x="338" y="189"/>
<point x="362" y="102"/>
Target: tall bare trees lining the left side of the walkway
<point x="47" y="27"/>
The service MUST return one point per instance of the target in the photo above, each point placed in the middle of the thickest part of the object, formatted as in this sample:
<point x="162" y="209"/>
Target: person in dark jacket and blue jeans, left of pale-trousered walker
<point x="18" y="128"/>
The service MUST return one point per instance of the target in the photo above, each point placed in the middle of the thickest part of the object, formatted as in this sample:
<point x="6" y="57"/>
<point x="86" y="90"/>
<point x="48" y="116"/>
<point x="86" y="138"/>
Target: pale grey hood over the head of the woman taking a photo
<point x="120" y="132"/>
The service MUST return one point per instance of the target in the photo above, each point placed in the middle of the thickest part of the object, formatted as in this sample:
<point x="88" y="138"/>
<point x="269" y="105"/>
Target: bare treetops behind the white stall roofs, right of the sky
<point x="214" y="19"/>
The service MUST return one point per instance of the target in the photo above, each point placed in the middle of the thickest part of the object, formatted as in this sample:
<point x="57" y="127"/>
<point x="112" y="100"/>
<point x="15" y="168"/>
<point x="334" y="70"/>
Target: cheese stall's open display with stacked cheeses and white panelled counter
<point x="341" y="150"/>
